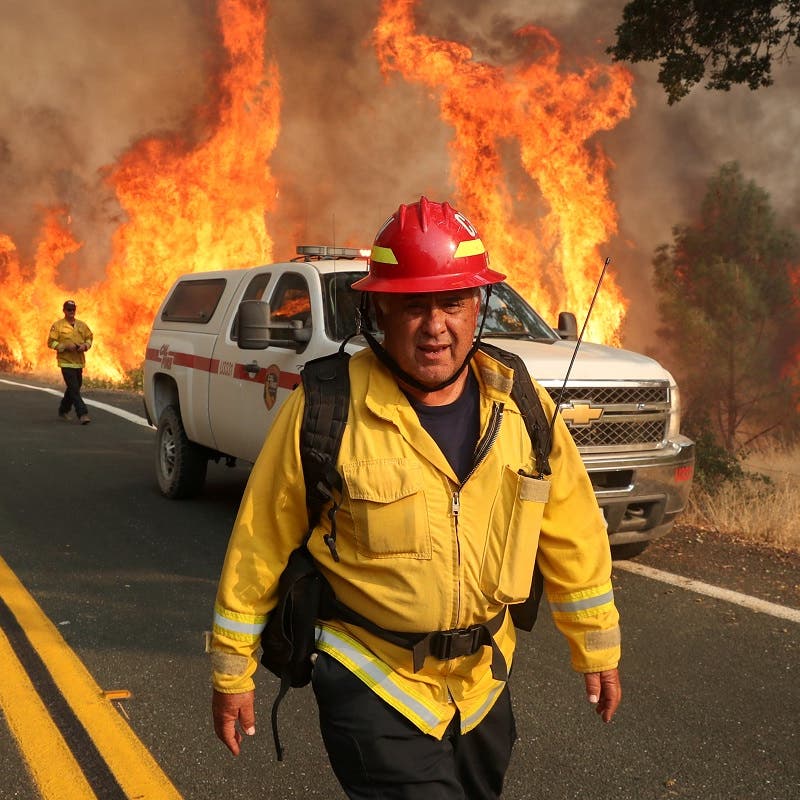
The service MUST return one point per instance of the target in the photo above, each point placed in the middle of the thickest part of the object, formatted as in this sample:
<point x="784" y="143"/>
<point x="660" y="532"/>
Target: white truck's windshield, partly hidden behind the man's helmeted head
<point x="508" y="317"/>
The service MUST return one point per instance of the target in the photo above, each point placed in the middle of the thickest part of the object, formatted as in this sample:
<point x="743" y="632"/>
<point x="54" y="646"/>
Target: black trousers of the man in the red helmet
<point x="376" y="752"/>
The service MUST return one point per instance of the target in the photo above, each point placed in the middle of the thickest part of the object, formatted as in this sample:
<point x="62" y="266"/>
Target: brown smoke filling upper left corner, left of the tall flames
<point x="81" y="80"/>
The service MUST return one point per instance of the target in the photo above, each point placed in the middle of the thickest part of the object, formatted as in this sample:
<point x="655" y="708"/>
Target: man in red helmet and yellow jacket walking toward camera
<point x="442" y="516"/>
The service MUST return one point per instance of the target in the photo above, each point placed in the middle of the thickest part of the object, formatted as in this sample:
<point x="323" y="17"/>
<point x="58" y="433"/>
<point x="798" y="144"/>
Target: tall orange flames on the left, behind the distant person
<point x="188" y="209"/>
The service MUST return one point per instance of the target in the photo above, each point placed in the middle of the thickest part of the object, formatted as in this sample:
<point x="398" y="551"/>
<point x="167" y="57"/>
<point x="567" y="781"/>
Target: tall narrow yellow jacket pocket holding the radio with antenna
<point x="513" y="537"/>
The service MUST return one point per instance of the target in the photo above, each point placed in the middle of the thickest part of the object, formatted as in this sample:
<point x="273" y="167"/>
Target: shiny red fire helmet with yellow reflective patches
<point x="427" y="247"/>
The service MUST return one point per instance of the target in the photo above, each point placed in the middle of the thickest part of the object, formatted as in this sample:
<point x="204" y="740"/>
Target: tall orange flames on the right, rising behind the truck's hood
<point x="551" y="116"/>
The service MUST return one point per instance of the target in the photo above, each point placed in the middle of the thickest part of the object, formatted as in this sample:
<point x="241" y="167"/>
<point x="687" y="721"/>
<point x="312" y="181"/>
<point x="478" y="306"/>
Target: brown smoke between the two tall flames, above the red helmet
<point x="353" y="145"/>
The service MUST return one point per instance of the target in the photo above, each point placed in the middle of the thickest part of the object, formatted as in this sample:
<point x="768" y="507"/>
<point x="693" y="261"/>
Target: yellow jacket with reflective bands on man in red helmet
<point x="419" y="552"/>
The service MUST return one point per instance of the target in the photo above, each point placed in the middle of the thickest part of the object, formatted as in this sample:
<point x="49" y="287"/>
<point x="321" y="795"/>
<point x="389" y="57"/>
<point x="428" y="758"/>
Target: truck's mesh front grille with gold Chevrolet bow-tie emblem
<point x="615" y="417"/>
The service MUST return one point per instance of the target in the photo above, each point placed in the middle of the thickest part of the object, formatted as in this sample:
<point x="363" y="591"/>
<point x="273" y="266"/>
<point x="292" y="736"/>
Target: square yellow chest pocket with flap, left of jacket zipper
<point x="387" y="503"/>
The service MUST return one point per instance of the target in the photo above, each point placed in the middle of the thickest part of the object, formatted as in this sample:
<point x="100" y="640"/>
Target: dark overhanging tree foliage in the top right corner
<point x="735" y="41"/>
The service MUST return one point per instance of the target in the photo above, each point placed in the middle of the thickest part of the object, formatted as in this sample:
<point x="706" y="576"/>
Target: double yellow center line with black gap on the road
<point x="74" y="741"/>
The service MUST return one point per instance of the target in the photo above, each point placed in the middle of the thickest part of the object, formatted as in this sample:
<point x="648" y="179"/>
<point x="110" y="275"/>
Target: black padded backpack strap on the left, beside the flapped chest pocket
<point x="326" y="382"/>
